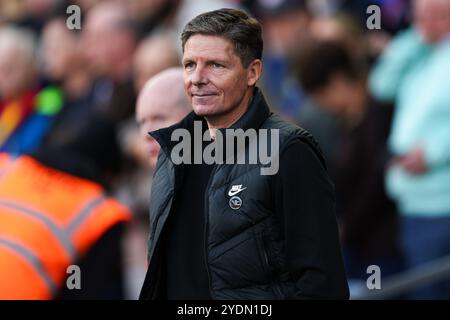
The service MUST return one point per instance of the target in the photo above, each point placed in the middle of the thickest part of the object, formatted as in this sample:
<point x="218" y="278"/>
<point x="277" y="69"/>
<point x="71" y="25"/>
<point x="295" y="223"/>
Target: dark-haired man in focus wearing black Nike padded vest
<point x="227" y="230"/>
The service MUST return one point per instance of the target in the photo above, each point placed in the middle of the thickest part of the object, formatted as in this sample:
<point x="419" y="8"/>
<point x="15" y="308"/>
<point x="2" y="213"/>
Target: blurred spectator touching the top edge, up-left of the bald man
<point x="109" y="41"/>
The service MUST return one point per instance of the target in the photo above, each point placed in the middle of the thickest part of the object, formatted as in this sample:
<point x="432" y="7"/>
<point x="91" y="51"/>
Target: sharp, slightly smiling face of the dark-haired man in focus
<point x="215" y="80"/>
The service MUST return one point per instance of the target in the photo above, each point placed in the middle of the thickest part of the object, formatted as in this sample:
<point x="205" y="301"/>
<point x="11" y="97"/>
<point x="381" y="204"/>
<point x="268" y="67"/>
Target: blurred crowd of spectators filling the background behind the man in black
<point x="378" y="101"/>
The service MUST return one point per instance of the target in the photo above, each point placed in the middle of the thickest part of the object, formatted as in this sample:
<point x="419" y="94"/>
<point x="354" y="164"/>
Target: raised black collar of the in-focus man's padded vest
<point x="257" y="112"/>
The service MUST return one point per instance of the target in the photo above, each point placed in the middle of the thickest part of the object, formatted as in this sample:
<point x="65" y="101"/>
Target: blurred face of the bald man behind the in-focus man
<point x="154" y="112"/>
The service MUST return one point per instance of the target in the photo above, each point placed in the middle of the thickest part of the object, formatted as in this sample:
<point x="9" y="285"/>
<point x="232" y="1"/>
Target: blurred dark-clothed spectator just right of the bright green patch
<point x="64" y="64"/>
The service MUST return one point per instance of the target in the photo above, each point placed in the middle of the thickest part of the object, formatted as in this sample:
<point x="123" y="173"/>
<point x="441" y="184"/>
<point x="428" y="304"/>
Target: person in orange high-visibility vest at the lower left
<point x="54" y="207"/>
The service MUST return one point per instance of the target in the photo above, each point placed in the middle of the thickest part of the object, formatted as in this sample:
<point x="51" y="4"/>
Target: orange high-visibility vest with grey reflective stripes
<point x="48" y="220"/>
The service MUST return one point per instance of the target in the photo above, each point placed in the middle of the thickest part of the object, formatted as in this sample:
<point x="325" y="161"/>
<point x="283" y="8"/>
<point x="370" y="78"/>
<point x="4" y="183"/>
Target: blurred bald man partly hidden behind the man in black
<point x="161" y="103"/>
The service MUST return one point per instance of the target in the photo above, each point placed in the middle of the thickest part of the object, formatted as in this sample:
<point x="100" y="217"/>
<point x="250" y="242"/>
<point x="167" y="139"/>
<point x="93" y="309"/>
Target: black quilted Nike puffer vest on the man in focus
<point x="244" y="247"/>
